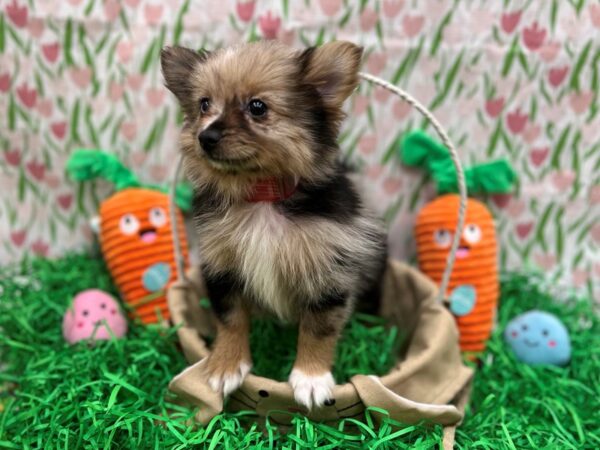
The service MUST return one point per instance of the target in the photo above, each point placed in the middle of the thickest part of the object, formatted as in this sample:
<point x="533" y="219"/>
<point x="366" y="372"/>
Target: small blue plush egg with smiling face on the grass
<point x="538" y="337"/>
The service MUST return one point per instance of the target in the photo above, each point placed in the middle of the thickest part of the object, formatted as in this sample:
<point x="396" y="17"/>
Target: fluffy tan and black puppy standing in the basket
<point x="281" y="227"/>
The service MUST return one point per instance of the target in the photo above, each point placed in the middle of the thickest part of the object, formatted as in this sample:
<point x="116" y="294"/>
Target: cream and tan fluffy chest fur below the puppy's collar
<point x="283" y="261"/>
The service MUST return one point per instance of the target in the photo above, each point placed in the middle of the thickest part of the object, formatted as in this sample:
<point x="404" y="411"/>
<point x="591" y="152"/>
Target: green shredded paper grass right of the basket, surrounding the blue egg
<point x="519" y="406"/>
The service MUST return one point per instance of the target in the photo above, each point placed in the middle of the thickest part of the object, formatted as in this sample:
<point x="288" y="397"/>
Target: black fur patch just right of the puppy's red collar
<point x="335" y="199"/>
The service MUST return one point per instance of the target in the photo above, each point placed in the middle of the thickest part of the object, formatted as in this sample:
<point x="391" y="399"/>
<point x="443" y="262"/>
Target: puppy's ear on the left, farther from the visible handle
<point x="178" y="64"/>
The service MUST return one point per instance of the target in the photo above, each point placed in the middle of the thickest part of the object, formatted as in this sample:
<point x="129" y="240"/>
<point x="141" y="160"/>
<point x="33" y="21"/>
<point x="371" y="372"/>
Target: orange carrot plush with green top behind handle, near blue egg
<point x="473" y="287"/>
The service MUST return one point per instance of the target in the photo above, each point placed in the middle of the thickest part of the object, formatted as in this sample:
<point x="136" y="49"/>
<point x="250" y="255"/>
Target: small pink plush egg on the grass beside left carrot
<point x="89" y="308"/>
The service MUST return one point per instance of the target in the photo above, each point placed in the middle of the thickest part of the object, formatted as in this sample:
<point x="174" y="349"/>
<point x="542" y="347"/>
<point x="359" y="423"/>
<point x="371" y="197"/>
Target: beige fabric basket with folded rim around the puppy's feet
<point x="430" y="381"/>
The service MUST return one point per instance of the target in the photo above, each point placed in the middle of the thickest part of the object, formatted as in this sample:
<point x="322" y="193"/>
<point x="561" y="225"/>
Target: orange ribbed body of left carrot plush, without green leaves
<point x="135" y="233"/>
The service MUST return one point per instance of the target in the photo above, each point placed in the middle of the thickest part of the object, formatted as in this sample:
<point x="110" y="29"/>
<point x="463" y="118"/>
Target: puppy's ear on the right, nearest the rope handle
<point x="332" y="69"/>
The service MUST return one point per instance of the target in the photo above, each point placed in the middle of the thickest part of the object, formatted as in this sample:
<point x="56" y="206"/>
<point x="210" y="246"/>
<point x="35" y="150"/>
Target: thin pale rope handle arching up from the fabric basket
<point x="462" y="190"/>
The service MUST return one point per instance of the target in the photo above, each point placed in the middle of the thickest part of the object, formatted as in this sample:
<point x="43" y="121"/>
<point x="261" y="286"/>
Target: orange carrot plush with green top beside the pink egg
<point x="135" y="233"/>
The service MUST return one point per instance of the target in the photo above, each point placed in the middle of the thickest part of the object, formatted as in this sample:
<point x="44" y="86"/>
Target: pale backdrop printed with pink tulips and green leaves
<point x="508" y="79"/>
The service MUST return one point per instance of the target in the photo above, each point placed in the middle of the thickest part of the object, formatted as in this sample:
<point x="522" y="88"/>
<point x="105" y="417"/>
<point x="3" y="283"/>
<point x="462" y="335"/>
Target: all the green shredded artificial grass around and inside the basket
<point x="113" y="394"/>
